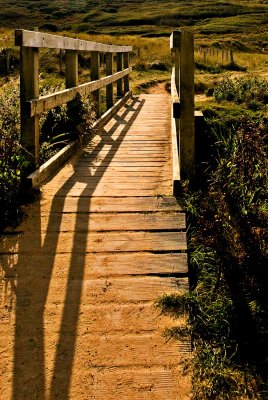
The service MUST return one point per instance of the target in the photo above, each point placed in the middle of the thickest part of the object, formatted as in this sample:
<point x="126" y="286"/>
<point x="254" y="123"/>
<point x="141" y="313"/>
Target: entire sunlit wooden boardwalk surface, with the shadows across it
<point x="82" y="273"/>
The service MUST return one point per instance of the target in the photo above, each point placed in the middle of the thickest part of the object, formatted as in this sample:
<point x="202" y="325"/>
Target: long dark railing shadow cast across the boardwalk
<point x="33" y="367"/>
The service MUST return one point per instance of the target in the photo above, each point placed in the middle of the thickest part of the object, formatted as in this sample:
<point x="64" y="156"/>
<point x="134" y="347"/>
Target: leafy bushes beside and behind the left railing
<point x="56" y="128"/>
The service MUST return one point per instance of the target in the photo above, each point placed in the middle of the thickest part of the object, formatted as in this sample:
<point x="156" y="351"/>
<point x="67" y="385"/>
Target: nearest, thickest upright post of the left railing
<point x="29" y="89"/>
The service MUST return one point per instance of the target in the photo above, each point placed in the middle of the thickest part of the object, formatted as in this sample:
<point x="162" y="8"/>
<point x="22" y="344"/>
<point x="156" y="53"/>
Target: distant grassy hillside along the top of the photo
<point x="147" y="18"/>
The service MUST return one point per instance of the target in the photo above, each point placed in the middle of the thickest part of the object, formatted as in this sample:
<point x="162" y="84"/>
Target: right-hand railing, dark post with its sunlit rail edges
<point x="182" y="94"/>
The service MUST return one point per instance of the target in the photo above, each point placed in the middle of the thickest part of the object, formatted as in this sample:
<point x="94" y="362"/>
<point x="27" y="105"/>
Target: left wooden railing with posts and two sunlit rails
<point x="32" y="104"/>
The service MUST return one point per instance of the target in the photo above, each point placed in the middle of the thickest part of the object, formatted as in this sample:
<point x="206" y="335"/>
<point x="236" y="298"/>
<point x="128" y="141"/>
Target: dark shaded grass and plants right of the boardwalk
<point x="228" y="217"/>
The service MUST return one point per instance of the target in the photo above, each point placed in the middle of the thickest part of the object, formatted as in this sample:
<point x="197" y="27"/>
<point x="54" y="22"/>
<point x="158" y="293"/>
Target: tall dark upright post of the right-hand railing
<point x="187" y="125"/>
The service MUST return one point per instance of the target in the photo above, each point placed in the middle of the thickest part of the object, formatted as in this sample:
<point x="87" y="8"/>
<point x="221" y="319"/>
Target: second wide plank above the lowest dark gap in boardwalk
<point x="90" y="242"/>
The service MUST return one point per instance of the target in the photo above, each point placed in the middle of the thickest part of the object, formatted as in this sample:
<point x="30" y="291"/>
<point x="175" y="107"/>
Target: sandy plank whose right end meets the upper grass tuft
<point x="106" y="290"/>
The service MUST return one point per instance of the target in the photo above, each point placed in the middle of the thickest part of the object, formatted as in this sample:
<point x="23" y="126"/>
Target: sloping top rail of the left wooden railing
<point x="45" y="40"/>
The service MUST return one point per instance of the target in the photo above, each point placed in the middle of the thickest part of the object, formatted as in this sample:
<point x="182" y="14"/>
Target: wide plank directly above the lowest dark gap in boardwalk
<point x="112" y="264"/>
